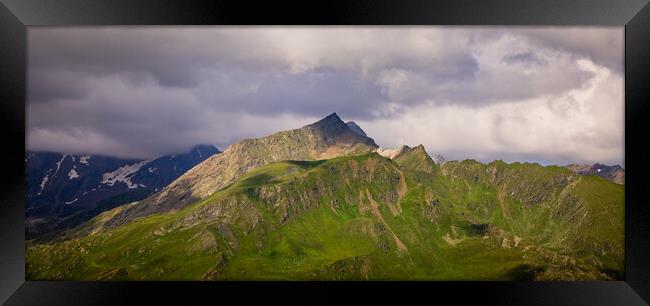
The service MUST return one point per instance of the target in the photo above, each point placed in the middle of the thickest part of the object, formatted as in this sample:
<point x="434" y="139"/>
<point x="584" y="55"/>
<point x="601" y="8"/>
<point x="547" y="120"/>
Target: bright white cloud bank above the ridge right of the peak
<point x="582" y="125"/>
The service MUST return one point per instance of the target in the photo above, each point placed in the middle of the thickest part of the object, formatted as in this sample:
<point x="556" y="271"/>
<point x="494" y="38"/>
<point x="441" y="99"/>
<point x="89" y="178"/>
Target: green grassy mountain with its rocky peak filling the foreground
<point x="324" y="202"/>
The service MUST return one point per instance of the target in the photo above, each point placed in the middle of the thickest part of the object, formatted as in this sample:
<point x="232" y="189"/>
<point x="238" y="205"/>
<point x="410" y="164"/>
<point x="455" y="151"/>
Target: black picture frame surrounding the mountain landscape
<point x="16" y="15"/>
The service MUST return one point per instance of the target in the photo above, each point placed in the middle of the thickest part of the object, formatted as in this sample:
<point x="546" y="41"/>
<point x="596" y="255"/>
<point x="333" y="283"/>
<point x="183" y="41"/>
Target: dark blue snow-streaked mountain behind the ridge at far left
<point x="63" y="190"/>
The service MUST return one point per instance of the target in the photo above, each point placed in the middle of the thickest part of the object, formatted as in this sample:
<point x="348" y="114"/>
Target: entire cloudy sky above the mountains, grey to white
<point x="547" y="95"/>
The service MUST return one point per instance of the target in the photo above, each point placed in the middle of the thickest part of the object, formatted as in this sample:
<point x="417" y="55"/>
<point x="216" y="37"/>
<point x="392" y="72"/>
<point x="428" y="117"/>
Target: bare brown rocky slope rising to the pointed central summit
<point x="327" y="138"/>
